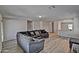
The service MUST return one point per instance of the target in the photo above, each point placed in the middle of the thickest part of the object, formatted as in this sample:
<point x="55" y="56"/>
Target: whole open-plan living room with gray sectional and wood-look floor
<point x="39" y="28"/>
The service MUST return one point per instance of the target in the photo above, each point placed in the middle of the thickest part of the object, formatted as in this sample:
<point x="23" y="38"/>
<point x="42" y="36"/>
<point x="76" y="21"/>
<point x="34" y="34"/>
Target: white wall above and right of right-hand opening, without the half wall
<point x="74" y="21"/>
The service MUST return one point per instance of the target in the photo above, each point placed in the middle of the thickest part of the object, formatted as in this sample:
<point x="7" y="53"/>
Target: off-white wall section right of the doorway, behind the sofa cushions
<point x="42" y="25"/>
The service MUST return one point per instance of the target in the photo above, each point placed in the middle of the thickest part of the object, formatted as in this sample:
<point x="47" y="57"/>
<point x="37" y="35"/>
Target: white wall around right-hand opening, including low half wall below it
<point x="75" y="22"/>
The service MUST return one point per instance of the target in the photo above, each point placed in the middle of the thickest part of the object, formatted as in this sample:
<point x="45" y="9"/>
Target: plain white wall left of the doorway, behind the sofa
<point x="11" y="27"/>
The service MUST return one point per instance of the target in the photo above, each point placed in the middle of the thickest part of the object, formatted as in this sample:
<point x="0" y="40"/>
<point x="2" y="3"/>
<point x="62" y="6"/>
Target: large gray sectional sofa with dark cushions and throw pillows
<point x="32" y="41"/>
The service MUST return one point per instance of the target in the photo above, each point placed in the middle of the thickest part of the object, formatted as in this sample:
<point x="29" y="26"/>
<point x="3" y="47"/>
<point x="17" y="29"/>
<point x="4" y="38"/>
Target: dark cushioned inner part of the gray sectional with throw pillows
<point x="36" y="33"/>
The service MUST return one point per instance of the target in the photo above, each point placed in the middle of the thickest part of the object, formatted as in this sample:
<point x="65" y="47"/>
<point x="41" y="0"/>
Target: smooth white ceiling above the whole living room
<point x="33" y="11"/>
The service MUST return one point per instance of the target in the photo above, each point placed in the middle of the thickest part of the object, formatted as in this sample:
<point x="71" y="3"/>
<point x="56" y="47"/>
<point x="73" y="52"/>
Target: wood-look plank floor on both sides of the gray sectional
<point x="53" y="44"/>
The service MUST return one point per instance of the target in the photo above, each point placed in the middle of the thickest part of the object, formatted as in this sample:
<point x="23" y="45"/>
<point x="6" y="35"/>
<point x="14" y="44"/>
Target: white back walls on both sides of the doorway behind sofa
<point x="12" y="26"/>
